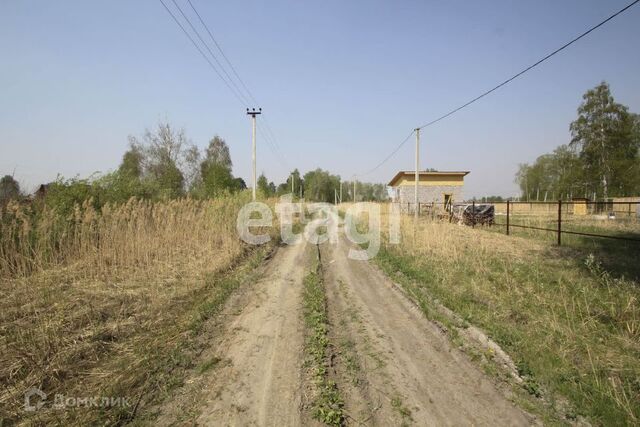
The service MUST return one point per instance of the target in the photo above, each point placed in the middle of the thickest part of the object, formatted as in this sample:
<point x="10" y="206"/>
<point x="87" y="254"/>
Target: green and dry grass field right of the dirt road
<point x="572" y="328"/>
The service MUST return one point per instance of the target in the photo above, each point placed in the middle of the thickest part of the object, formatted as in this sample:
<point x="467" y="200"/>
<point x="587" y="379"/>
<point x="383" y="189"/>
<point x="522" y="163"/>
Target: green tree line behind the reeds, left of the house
<point x="163" y="164"/>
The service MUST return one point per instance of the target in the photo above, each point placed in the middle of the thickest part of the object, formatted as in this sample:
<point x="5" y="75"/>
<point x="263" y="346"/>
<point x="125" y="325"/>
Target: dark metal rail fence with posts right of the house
<point x="561" y="214"/>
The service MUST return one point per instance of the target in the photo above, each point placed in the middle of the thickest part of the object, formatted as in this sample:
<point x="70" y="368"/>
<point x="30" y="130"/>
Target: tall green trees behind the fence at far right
<point x="602" y="160"/>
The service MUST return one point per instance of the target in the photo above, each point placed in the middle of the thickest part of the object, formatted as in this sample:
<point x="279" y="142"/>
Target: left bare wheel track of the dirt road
<point x="262" y="382"/>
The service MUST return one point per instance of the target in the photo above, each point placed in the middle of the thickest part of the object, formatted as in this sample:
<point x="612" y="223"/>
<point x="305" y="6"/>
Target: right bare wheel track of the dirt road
<point x="407" y="371"/>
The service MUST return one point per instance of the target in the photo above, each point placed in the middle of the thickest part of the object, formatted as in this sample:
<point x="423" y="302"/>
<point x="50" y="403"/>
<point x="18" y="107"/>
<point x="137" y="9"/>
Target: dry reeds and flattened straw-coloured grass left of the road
<point x="88" y="298"/>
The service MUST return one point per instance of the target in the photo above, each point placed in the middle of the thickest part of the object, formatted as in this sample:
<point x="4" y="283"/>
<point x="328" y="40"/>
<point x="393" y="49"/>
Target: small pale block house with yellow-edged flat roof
<point x="440" y="188"/>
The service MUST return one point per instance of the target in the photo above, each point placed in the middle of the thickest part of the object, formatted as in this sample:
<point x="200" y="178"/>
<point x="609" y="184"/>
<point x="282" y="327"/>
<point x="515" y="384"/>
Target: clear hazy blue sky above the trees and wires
<point x="341" y="82"/>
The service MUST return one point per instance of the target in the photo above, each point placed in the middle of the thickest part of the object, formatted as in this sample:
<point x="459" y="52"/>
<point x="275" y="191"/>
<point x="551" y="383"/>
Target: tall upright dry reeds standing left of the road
<point x="138" y="235"/>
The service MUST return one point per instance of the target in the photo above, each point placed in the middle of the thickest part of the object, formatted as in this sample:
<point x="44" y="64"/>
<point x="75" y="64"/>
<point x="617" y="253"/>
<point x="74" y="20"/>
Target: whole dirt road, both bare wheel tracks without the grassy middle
<point x="391" y="365"/>
